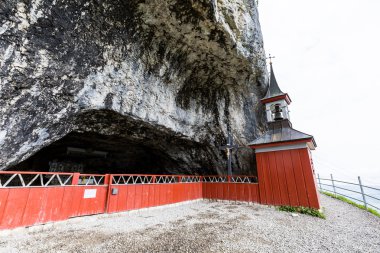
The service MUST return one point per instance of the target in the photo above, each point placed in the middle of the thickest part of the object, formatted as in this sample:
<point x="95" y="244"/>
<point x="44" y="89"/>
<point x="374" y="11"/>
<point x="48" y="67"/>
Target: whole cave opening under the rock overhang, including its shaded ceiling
<point x="103" y="141"/>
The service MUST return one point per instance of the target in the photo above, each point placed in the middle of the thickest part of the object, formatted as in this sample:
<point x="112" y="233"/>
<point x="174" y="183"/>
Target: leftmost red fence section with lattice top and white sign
<point x="28" y="198"/>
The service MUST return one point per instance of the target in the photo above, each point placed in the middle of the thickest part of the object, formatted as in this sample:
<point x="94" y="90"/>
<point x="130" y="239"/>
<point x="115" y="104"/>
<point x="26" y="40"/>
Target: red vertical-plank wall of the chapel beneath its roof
<point x="286" y="178"/>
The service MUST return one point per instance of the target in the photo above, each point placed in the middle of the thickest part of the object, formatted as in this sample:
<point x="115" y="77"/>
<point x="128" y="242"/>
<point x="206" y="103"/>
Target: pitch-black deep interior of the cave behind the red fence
<point x="96" y="153"/>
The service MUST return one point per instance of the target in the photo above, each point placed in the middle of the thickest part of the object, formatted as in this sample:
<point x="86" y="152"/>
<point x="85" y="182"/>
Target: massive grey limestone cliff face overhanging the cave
<point x="161" y="77"/>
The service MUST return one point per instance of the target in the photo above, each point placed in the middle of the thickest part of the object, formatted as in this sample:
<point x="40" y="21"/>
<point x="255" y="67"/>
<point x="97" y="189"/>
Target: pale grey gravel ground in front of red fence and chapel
<point x="205" y="227"/>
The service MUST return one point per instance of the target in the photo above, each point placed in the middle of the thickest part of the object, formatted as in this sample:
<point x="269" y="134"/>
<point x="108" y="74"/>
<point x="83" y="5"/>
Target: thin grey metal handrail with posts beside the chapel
<point x="360" y="185"/>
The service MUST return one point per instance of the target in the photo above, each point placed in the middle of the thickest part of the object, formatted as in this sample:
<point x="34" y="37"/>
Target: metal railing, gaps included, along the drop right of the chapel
<point x="362" y="194"/>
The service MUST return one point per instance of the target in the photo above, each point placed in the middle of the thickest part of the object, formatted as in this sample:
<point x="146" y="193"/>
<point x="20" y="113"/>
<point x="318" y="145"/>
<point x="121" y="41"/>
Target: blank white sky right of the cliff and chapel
<point x="327" y="60"/>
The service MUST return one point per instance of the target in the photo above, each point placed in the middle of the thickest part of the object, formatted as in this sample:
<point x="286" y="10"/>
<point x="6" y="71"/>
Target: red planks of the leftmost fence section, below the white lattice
<point x="21" y="207"/>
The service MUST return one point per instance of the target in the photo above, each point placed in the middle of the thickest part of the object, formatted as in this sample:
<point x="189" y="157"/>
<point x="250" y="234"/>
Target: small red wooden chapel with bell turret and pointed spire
<point x="284" y="162"/>
